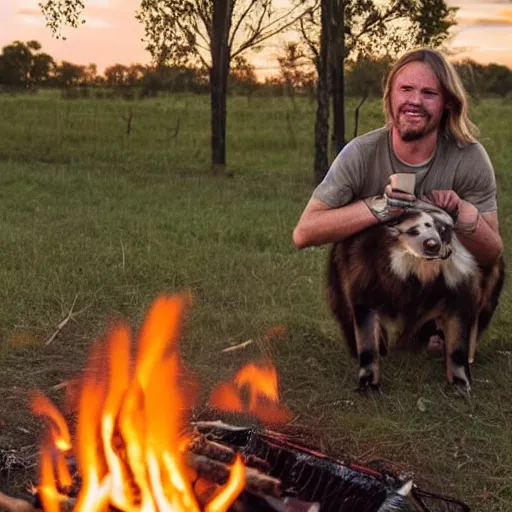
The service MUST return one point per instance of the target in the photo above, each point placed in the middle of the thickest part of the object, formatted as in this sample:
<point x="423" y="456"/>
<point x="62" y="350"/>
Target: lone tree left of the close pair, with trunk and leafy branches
<point x="209" y="32"/>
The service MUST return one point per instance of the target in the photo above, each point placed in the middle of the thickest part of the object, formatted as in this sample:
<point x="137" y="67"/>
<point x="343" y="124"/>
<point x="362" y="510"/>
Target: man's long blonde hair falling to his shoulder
<point x="455" y="122"/>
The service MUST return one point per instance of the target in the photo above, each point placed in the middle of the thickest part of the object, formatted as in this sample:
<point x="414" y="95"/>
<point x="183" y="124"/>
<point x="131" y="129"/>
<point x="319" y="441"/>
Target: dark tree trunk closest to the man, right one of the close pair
<point x="337" y="78"/>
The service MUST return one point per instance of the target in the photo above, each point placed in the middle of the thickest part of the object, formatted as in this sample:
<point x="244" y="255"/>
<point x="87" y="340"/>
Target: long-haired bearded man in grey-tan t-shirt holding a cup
<point x="427" y="133"/>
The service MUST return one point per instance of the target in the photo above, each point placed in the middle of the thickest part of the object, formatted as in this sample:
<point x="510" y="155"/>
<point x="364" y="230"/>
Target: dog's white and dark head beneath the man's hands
<point x="424" y="234"/>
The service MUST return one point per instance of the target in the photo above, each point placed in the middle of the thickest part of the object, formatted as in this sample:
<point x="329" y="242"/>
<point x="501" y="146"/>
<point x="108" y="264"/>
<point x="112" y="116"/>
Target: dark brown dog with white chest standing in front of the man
<point x="412" y="271"/>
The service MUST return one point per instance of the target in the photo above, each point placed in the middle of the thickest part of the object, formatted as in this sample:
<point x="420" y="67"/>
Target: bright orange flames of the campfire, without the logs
<point x="131" y="432"/>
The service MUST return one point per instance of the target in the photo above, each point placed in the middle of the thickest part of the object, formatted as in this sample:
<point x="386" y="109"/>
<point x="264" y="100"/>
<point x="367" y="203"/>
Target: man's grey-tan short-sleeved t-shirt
<point x="363" y="167"/>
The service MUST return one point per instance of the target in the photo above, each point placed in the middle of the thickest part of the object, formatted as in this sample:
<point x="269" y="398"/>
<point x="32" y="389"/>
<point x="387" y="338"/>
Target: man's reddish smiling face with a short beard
<point x="417" y="102"/>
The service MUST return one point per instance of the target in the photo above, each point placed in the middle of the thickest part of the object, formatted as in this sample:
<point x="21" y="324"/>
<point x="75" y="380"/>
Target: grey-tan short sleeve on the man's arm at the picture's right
<point x="476" y="181"/>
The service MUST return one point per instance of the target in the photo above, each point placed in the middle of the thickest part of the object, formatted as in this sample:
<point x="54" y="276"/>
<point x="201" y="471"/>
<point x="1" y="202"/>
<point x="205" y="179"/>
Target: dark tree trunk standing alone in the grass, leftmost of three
<point x="219" y="80"/>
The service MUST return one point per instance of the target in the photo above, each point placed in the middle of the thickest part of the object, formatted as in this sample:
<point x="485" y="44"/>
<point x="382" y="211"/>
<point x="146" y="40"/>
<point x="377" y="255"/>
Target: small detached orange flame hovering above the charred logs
<point x="261" y="385"/>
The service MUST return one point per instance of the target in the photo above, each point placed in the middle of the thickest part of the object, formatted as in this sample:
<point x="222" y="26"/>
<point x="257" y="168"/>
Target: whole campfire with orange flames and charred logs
<point x="134" y="447"/>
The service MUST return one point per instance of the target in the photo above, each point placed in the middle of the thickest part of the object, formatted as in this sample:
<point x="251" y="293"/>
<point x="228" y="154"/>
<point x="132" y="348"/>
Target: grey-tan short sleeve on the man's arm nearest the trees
<point x="341" y="184"/>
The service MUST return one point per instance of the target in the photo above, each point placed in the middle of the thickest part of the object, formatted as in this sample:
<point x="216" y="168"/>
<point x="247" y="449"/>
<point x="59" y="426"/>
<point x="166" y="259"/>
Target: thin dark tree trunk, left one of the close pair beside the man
<point x="322" y="96"/>
